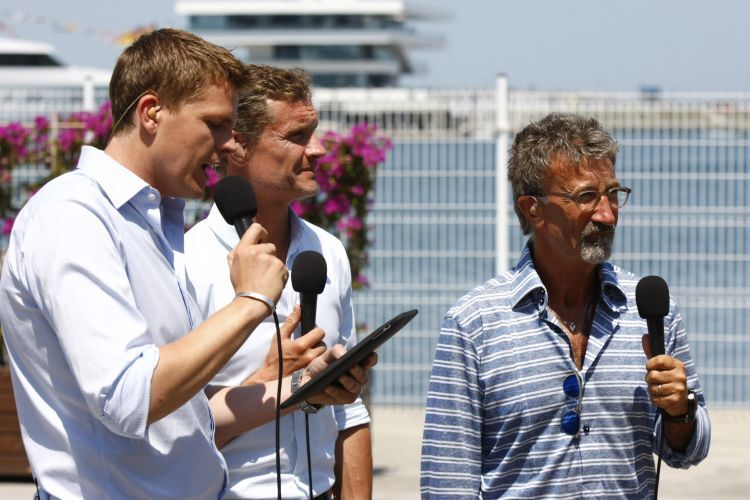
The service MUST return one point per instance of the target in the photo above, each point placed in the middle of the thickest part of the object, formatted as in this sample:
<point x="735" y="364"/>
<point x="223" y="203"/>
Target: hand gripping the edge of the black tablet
<point x="347" y="387"/>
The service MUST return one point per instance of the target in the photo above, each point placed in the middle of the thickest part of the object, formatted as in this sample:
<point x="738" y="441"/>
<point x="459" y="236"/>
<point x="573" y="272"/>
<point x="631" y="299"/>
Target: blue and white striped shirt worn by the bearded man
<point x="495" y="401"/>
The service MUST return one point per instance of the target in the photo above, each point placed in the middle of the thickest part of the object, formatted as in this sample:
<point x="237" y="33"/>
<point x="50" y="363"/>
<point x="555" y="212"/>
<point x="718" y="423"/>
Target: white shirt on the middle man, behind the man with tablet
<point x="251" y="457"/>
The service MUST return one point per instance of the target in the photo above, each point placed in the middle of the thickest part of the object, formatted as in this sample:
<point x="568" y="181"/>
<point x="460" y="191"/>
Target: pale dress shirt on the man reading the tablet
<point x="92" y="283"/>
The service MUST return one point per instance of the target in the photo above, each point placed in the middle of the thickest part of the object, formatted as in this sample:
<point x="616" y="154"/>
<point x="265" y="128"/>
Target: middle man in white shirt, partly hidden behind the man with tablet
<point x="277" y="154"/>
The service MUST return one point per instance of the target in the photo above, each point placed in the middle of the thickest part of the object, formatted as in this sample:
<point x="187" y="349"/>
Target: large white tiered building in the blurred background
<point x="342" y="43"/>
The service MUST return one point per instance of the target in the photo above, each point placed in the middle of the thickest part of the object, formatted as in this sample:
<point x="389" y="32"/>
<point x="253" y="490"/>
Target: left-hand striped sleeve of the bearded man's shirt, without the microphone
<point x="451" y="444"/>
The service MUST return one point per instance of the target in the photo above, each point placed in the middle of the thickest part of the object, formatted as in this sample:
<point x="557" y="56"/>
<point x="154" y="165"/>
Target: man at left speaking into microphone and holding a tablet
<point x="107" y="350"/>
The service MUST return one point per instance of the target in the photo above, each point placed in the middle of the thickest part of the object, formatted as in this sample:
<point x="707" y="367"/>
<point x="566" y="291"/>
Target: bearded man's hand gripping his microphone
<point x="667" y="381"/>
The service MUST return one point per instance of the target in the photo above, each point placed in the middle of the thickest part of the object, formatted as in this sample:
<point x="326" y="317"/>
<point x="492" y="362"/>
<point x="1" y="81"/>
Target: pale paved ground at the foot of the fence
<point x="397" y="435"/>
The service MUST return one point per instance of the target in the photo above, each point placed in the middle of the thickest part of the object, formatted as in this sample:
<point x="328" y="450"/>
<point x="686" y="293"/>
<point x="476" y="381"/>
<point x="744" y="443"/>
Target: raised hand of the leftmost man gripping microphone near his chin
<point x="254" y="267"/>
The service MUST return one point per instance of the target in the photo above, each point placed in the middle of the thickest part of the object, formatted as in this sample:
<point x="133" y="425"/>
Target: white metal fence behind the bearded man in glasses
<point x="443" y="222"/>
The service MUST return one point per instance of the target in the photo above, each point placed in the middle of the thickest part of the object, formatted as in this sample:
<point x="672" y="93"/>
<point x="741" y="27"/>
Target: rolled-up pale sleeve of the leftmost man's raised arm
<point x="79" y="280"/>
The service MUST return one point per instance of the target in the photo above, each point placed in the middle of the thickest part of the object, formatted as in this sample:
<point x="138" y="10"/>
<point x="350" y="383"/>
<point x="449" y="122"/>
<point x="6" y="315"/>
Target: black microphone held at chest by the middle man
<point x="309" y="279"/>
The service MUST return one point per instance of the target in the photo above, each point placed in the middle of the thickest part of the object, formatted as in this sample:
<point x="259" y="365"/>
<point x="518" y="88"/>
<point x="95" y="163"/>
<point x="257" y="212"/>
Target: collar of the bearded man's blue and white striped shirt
<point x="531" y="288"/>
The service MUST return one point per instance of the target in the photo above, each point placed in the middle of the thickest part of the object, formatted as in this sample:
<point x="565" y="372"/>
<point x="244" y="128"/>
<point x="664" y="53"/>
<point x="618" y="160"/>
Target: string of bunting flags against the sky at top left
<point x="10" y="19"/>
